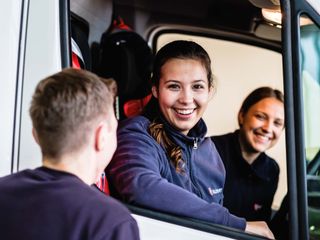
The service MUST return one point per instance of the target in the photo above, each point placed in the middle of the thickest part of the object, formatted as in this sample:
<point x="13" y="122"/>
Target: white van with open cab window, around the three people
<point x="252" y="43"/>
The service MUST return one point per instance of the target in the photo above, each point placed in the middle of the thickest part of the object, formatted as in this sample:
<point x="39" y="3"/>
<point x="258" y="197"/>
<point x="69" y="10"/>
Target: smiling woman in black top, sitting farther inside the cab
<point x="251" y="175"/>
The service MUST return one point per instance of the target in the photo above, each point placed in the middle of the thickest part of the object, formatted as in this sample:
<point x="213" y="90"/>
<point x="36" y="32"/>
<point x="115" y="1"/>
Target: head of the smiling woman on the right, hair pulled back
<point x="261" y="125"/>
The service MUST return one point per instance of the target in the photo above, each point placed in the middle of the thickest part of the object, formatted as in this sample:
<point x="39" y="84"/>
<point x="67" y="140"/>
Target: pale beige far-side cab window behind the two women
<point x="238" y="68"/>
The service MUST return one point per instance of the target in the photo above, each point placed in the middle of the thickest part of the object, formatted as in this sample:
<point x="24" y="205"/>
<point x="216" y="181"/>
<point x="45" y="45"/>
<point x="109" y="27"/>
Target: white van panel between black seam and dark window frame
<point x="43" y="57"/>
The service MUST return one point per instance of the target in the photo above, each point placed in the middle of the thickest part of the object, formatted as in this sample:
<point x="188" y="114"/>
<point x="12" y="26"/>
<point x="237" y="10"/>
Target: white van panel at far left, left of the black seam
<point x="10" y="12"/>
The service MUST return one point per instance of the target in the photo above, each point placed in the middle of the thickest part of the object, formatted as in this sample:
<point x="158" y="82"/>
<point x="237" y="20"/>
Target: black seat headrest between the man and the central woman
<point x="127" y="58"/>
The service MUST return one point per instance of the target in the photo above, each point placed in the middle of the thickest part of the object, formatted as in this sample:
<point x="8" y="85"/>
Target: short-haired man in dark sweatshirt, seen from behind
<point x="75" y="127"/>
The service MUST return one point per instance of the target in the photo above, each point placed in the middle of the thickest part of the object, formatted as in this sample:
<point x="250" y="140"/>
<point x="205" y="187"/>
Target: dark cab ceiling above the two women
<point x="240" y="16"/>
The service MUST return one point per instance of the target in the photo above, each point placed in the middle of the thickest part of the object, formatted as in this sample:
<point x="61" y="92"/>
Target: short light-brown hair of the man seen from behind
<point x="65" y="107"/>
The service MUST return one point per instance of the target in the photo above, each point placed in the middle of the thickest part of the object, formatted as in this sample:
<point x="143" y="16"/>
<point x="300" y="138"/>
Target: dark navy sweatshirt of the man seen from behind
<point x="79" y="208"/>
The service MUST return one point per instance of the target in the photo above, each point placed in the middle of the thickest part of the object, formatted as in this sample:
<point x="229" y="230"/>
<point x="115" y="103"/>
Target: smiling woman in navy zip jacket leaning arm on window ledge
<point x="164" y="161"/>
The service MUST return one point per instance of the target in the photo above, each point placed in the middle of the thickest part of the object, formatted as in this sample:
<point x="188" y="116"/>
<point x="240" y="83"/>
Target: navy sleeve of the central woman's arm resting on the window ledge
<point x="134" y="174"/>
